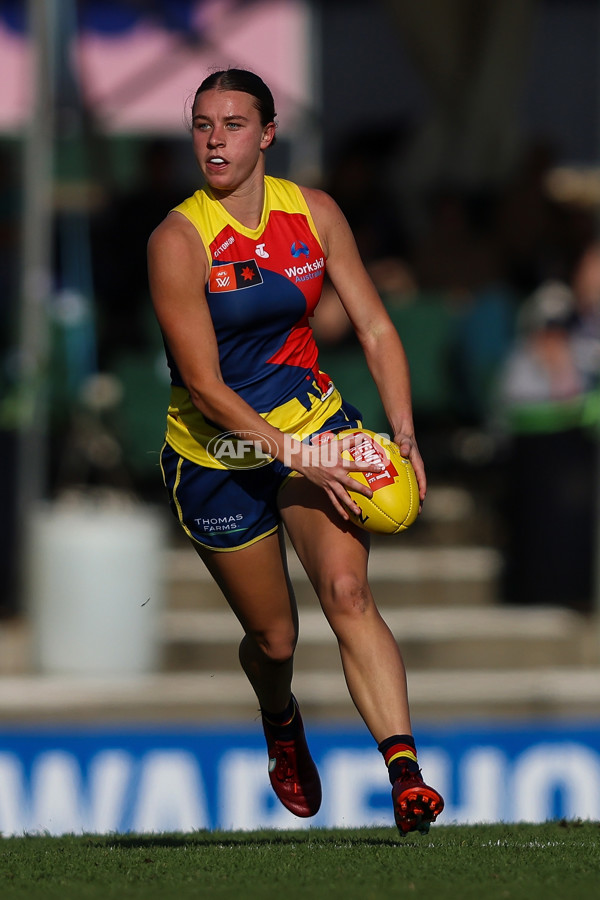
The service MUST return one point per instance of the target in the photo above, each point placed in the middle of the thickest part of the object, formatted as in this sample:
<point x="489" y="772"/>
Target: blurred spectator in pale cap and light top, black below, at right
<point x="546" y="392"/>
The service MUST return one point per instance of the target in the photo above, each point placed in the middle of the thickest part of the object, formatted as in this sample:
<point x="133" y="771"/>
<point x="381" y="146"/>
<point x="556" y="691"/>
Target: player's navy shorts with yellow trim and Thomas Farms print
<point x="228" y="509"/>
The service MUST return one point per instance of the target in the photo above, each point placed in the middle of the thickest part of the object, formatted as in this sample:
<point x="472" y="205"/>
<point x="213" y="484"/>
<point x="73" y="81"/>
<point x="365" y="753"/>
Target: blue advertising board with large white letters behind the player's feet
<point x="59" y="780"/>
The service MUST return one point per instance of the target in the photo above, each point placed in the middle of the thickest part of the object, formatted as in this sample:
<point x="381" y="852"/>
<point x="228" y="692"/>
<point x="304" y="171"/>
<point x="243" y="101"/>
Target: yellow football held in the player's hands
<point x="395" y="501"/>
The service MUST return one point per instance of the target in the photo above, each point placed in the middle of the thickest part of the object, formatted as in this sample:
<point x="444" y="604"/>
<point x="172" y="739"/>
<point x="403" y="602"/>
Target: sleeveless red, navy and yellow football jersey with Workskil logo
<point x="263" y="287"/>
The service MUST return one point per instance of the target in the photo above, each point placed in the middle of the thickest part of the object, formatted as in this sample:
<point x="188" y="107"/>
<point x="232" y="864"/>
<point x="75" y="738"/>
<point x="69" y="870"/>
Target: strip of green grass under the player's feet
<point x="484" y="862"/>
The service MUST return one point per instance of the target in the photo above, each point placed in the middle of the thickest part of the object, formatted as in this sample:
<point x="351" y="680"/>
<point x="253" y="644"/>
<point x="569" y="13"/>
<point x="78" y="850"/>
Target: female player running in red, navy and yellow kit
<point x="236" y="270"/>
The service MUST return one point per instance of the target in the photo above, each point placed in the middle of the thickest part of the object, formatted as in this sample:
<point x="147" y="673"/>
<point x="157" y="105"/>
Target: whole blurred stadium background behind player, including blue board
<point x="462" y="139"/>
